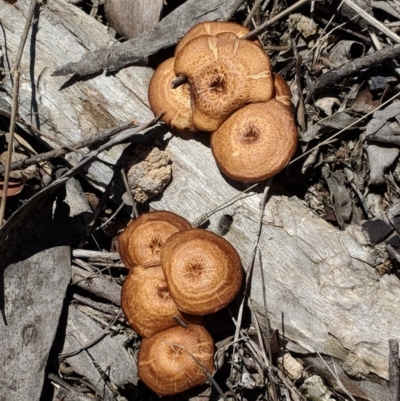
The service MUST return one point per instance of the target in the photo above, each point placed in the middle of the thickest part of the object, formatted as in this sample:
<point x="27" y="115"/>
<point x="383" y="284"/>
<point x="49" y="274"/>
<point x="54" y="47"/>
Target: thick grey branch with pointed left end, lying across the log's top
<point x="166" y="33"/>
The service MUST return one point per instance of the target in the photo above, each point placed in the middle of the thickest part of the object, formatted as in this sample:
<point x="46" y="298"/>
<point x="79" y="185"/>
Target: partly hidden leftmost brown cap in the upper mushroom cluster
<point x="175" y="102"/>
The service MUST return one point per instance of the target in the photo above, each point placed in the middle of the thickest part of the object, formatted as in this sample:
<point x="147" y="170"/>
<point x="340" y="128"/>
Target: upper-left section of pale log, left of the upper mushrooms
<point x="68" y="110"/>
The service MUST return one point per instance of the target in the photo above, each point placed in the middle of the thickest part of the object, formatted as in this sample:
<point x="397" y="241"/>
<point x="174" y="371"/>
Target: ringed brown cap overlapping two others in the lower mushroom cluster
<point x="202" y="270"/>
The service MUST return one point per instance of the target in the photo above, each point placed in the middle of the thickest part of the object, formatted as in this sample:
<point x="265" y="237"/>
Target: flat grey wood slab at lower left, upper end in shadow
<point x="34" y="275"/>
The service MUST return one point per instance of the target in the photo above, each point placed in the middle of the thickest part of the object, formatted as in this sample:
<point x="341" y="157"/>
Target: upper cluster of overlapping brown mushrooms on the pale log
<point x="231" y="92"/>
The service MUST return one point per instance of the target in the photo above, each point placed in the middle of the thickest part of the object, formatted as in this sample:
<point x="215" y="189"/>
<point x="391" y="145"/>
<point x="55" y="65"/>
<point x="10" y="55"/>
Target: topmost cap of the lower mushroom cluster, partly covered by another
<point x="143" y="238"/>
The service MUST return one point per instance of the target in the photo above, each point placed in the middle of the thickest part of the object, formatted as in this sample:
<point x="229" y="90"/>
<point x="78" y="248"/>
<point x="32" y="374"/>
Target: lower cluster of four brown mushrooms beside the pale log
<point x="177" y="275"/>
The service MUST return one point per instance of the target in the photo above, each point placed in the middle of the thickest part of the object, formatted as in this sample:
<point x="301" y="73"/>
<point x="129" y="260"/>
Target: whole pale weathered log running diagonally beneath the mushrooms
<point x="321" y="283"/>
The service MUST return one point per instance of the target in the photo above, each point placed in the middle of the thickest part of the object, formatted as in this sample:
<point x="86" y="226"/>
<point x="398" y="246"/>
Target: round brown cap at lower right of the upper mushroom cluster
<point x="256" y="142"/>
